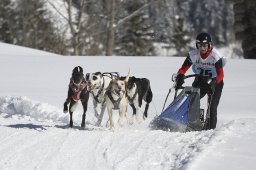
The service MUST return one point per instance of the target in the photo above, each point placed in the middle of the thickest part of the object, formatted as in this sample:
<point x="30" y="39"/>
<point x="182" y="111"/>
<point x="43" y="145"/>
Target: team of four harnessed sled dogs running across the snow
<point x="108" y="90"/>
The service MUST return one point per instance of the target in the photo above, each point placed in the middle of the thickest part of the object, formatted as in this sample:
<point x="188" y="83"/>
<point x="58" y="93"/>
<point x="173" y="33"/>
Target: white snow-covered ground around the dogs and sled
<point x="34" y="133"/>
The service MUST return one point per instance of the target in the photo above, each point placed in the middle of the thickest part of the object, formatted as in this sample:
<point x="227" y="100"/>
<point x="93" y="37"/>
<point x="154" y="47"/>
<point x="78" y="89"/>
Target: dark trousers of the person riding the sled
<point x="214" y="96"/>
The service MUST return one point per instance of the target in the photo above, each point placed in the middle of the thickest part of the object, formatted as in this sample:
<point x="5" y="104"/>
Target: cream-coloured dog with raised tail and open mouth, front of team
<point x="116" y="100"/>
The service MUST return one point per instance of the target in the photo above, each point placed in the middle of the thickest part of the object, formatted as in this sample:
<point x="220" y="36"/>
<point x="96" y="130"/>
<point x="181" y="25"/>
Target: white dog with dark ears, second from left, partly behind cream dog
<point x="97" y="84"/>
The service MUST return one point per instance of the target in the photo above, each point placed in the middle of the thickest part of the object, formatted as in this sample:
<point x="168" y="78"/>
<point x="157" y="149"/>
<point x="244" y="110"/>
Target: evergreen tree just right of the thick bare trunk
<point x="134" y="37"/>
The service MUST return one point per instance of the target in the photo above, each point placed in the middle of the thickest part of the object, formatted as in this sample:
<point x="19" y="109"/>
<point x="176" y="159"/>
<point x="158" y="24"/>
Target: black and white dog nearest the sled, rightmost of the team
<point x="139" y="89"/>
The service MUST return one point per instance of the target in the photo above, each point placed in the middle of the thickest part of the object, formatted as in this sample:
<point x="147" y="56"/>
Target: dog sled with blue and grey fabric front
<point x="184" y="113"/>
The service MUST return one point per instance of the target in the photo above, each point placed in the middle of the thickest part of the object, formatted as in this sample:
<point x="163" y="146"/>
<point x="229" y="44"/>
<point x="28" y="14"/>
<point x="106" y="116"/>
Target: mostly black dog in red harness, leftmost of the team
<point x="77" y="90"/>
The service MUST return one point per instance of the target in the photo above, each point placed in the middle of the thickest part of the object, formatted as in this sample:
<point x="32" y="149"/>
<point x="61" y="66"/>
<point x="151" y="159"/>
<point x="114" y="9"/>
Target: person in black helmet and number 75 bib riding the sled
<point x="207" y="63"/>
